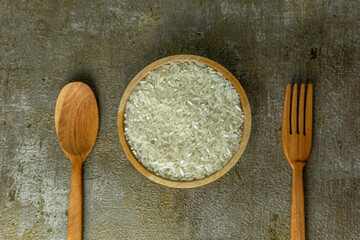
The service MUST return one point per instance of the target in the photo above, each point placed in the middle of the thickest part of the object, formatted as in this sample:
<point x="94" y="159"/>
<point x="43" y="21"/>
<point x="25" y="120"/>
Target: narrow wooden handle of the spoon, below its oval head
<point x="75" y="203"/>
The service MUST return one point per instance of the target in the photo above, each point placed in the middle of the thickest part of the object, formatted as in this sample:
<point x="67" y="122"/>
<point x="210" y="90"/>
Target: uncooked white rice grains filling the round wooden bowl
<point x="184" y="121"/>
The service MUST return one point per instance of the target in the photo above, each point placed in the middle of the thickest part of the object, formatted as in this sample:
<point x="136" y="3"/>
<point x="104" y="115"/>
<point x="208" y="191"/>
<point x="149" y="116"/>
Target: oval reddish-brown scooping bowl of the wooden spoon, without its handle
<point x="76" y="119"/>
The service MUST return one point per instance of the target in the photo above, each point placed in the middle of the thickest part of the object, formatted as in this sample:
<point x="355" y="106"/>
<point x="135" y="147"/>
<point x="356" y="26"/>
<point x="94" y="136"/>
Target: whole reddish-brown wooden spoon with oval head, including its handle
<point x="77" y="122"/>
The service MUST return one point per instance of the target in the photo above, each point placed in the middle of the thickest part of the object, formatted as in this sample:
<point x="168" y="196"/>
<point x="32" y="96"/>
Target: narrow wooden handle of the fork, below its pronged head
<point x="297" y="203"/>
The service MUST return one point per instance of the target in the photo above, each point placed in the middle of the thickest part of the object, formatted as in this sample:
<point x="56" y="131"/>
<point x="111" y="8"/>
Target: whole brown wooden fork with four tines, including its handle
<point x="296" y="141"/>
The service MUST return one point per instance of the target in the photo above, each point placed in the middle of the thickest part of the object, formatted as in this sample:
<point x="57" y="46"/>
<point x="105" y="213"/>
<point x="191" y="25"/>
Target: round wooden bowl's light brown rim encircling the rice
<point x="246" y="127"/>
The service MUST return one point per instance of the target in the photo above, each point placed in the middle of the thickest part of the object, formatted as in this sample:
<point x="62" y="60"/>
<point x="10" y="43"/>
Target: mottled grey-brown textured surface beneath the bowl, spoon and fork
<point x="265" y="44"/>
